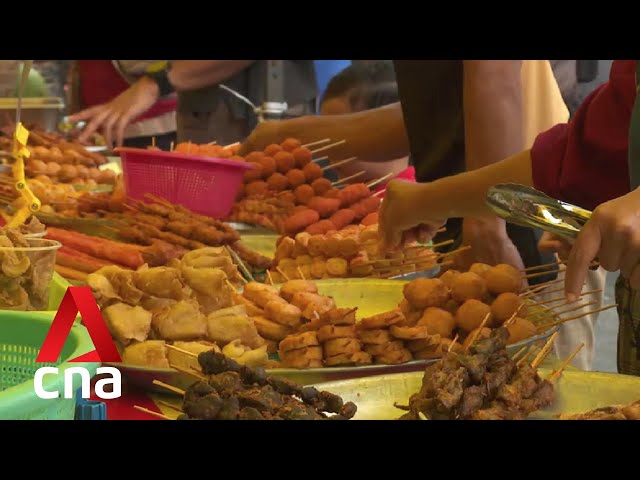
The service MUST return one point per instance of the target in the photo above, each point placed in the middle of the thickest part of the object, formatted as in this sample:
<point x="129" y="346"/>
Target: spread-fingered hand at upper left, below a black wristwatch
<point x="112" y="118"/>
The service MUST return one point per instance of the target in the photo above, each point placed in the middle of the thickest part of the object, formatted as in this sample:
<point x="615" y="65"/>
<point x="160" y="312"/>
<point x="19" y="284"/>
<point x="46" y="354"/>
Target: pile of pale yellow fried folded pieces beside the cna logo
<point x="189" y="301"/>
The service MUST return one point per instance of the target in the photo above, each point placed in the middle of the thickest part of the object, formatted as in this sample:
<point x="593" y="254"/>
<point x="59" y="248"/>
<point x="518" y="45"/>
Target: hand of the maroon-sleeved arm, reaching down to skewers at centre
<point x="403" y="218"/>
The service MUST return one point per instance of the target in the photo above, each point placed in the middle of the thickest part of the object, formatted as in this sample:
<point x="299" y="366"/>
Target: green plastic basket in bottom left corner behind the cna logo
<point x="21" y="336"/>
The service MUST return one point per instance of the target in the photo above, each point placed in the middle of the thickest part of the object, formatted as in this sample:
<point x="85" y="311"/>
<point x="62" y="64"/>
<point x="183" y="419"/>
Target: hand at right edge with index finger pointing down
<point x="612" y="234"/>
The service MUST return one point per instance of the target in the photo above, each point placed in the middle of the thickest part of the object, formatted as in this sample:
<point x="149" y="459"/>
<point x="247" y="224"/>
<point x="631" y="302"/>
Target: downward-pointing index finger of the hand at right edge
<point x="584" y="250"/>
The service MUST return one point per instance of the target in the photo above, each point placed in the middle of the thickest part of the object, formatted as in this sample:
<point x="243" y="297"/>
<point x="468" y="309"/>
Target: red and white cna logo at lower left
<point x="79" y="300"/>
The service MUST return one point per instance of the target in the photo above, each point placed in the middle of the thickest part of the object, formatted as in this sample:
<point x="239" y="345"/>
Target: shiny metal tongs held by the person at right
<point x="528" y="207"/>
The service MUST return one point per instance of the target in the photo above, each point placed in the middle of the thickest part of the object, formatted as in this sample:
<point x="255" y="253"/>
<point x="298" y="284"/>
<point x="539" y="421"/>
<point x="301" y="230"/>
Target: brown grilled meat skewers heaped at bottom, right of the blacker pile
<point x="484" y="385"/>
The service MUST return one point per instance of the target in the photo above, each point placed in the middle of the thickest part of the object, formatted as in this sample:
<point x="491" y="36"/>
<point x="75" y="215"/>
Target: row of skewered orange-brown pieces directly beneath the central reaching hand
<point x="351" y="252"/>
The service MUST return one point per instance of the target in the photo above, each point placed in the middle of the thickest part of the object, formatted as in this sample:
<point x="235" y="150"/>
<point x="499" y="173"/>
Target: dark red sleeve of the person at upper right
<point x="584" y="162"/>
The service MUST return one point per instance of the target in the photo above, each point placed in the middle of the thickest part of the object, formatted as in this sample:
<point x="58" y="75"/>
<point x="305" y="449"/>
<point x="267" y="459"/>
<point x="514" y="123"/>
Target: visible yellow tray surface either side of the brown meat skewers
<point x="576" y="392"/>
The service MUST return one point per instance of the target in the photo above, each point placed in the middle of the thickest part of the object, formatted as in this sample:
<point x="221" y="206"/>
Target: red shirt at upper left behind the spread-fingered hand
<point x="100" y="82"/>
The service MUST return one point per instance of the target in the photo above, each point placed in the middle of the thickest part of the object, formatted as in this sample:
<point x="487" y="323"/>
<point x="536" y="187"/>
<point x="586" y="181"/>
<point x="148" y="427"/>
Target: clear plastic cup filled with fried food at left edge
<point x="25" y="271"/>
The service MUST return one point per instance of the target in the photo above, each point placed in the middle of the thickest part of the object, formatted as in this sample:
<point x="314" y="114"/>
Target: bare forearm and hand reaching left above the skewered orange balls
<point x="375" y="135"/>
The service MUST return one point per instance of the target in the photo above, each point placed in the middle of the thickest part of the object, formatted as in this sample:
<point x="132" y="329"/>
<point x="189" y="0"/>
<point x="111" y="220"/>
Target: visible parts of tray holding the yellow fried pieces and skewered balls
<point x="371" y="296"/>
